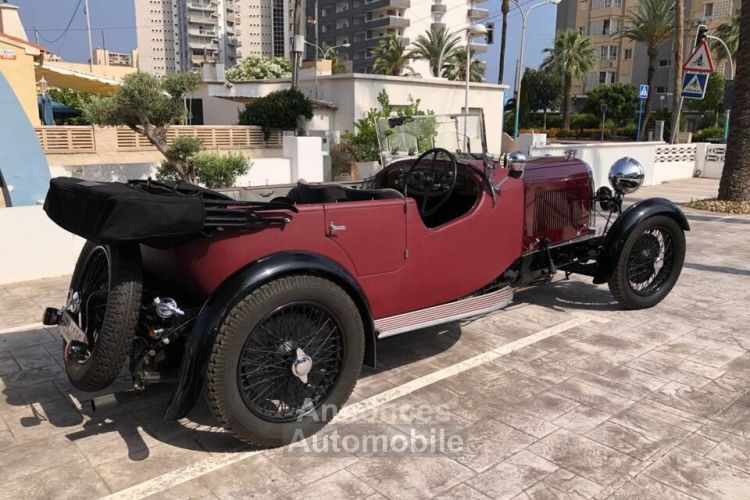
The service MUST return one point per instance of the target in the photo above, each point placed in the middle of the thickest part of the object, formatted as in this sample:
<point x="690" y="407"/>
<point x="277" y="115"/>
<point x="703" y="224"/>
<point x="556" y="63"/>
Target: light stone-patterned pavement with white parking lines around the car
<point x="570" y="397"/>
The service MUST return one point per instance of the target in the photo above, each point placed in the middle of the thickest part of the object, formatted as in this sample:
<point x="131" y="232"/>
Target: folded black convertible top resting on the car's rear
<point x="152" y="212"/>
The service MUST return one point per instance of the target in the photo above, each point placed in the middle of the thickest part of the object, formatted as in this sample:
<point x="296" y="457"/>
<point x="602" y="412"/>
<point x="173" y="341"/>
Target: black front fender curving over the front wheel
<point x="624" y="225"/>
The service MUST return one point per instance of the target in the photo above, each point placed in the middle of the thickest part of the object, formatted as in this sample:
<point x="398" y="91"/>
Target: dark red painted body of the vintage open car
<point x="386" y="246"/>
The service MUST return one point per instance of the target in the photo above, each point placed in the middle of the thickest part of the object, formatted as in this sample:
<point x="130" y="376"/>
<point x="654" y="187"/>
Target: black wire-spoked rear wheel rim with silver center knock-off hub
<point x="290" y="362"/>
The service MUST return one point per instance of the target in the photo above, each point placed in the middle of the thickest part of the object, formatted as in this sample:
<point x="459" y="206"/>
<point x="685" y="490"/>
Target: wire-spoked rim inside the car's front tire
<point x="650" y="262"/>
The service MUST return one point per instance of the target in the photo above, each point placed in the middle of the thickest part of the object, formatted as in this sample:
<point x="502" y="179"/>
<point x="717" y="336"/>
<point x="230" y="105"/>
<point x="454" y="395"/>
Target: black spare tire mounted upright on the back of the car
<point x="112" y="328"/>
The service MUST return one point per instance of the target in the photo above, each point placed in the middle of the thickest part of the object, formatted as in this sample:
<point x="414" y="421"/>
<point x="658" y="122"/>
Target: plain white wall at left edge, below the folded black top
<point x="33" y="246"/>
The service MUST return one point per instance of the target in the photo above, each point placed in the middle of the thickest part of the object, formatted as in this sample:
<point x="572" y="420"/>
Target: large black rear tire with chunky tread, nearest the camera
<point x="250" y="323"/>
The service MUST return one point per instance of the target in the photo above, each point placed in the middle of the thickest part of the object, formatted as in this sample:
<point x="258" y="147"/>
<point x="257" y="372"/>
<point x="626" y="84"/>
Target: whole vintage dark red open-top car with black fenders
<point x="275" y="306"/>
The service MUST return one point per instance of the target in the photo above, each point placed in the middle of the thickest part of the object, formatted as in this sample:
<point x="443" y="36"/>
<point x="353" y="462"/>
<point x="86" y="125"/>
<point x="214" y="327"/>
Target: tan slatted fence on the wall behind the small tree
<point x="212" y="137"/>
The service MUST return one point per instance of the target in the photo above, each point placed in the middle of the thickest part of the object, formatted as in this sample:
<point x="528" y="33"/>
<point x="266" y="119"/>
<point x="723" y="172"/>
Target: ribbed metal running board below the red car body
<point x="444" y="313"/>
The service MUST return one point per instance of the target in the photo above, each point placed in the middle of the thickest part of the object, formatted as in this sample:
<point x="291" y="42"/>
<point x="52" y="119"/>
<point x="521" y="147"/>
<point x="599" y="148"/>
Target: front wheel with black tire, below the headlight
<point x="637" y="283"/>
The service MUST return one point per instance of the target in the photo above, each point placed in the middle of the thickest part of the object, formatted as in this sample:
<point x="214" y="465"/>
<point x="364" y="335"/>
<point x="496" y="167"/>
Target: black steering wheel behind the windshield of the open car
<point x="429" y="181"/>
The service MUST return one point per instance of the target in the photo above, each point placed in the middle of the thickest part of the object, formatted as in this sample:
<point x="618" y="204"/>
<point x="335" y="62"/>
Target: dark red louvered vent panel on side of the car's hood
<point x="558" y="208"/>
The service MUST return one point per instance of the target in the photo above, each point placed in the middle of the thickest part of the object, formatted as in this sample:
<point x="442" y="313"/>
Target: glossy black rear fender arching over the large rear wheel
<point x="230" y="292"/>
